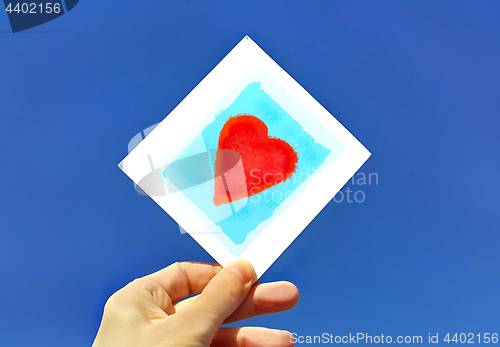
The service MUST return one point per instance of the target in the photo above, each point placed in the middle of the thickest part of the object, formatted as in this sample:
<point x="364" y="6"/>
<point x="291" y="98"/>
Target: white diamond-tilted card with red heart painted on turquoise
<point x="247" y="160"/>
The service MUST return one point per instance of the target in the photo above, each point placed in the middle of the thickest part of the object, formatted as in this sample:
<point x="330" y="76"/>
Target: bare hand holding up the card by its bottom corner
<point x="147" y="312"/>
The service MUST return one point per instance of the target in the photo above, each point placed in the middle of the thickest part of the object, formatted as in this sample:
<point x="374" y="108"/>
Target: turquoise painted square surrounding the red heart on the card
<point x="239" y="219"/>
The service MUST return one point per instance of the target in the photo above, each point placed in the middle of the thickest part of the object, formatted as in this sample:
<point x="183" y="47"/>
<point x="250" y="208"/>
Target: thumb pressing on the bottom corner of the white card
<point x="222" y="295"/>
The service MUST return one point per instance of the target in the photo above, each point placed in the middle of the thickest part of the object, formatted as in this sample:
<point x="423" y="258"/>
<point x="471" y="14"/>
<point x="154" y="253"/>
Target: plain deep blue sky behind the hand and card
<point x="417" y="82"/>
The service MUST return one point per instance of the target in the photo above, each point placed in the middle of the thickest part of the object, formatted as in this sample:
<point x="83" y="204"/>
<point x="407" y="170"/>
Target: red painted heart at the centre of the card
<point x="267" y="161"/>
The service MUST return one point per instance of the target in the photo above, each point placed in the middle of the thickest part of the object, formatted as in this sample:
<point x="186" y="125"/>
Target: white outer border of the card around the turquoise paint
<point x="177" y="129"/>
